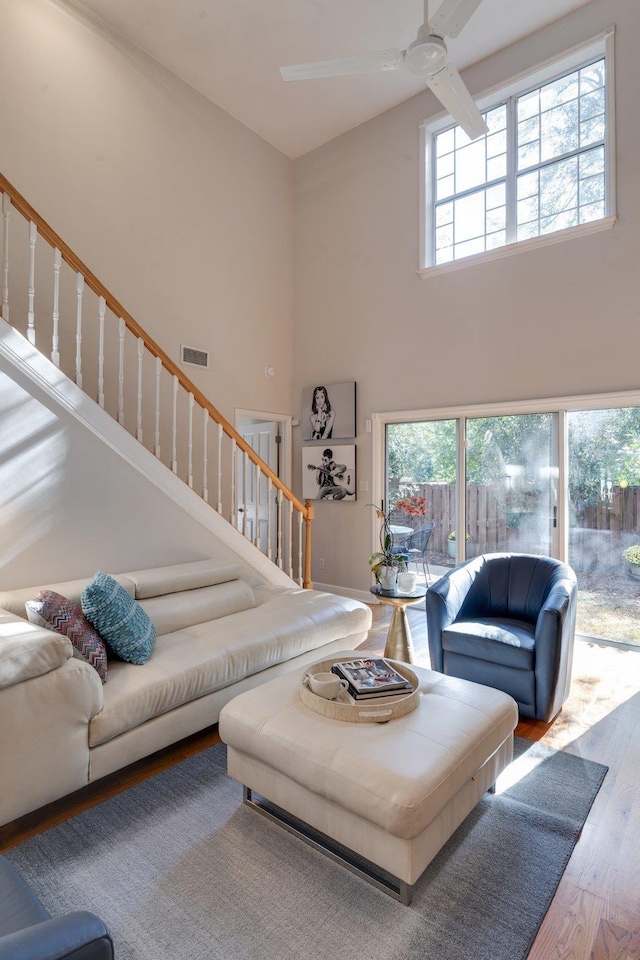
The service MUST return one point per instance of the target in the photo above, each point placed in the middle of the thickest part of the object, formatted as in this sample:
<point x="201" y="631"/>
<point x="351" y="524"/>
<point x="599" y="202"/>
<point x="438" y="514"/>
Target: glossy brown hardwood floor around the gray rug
<point x="595" y="914"/>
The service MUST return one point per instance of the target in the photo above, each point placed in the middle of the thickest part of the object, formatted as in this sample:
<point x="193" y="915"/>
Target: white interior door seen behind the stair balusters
<point x="255" y="501"/>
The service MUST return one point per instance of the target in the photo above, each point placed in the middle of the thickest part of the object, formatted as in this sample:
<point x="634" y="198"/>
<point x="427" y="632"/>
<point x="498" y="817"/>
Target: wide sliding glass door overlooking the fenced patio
<point x="561" y="482"/>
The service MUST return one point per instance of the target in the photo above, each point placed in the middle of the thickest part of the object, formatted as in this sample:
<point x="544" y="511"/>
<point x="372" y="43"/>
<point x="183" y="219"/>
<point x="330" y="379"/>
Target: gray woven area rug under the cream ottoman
<point x="180" y="870"/>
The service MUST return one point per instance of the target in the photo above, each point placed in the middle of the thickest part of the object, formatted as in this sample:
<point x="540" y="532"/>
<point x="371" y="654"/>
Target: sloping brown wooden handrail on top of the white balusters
<point x="52" y="238"/>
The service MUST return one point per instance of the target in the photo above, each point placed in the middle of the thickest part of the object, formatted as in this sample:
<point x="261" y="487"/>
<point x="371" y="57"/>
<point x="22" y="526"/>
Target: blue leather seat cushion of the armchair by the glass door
<point x="498" y="639"/>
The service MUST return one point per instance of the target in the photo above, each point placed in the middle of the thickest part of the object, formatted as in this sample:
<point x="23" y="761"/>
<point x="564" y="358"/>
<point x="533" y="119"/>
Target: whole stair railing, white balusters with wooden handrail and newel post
<point x="88" y="335"/>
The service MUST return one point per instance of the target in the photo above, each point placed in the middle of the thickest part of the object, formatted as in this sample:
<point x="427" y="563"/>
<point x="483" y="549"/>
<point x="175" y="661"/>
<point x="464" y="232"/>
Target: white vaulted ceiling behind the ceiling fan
<point x="230" y="50"/>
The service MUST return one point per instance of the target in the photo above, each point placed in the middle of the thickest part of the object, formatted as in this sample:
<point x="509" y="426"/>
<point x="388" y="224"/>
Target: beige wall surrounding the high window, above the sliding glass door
<point x="562" y="320"/>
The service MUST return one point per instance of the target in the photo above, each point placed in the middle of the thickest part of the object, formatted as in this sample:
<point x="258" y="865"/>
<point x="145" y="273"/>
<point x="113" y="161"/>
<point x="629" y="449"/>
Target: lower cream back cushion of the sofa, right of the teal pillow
<point x="179" y="610"/>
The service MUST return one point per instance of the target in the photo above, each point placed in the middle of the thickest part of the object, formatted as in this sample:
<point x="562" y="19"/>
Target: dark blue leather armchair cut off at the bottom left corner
<point x="27" y="932"/>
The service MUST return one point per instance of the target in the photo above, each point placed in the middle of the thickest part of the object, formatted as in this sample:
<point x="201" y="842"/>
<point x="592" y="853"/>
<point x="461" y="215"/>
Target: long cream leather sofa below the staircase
<point x="61" y="727"/>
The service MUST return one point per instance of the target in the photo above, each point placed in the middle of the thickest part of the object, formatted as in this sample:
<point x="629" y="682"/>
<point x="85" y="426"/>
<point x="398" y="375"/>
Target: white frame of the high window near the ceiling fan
<point x="578" y="56"/>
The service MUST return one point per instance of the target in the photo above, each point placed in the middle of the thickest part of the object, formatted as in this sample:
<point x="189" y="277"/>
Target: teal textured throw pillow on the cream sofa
<point x="118" y="618"/>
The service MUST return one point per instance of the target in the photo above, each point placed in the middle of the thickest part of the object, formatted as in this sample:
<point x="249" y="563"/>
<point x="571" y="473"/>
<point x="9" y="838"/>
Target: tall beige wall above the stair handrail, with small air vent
<point x="181" y="211"/>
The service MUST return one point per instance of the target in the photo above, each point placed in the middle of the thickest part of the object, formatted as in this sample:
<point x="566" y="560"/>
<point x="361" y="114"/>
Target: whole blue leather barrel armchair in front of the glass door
<point x="507" y="620"/>
